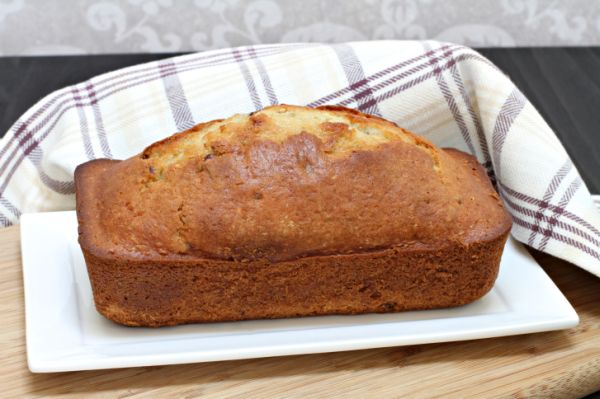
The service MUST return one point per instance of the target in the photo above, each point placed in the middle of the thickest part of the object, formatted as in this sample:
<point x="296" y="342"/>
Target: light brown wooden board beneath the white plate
<point x="558" y="364"/>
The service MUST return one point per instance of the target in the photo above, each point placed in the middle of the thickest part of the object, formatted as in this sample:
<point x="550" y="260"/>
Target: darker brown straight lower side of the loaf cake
<point x="157" y="293"/>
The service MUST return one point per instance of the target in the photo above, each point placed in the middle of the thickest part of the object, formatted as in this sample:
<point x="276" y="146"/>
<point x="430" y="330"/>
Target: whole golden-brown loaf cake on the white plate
<point x="288" y="211"/>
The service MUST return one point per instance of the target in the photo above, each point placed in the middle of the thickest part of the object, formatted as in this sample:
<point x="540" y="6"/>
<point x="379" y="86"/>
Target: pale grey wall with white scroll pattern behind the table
<point x="29" y="27"/>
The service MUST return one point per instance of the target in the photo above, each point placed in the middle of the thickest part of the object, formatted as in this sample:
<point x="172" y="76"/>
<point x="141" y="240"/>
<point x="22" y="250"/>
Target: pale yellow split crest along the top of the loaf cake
<point x="340" y="131"/>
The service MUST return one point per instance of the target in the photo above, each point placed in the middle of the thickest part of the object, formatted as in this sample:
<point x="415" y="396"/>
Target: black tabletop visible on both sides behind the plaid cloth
<point x="563" y="83"/>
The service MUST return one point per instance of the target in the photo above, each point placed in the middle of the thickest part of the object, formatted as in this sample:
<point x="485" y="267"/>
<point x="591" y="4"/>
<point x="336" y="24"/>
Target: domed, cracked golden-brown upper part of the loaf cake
<point x="284" y="183"/>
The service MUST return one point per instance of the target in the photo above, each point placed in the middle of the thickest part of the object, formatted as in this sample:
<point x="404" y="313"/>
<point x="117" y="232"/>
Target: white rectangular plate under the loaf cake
<point x="65" y="333"/>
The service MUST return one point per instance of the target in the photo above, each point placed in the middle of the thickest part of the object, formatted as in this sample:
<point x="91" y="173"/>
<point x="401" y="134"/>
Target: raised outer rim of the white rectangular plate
<point x="38" y="364"/>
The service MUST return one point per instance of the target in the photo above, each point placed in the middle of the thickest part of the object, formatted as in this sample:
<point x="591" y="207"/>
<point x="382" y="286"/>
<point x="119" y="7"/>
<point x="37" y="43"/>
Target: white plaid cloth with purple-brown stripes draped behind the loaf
<point x="447" y="93"/>
